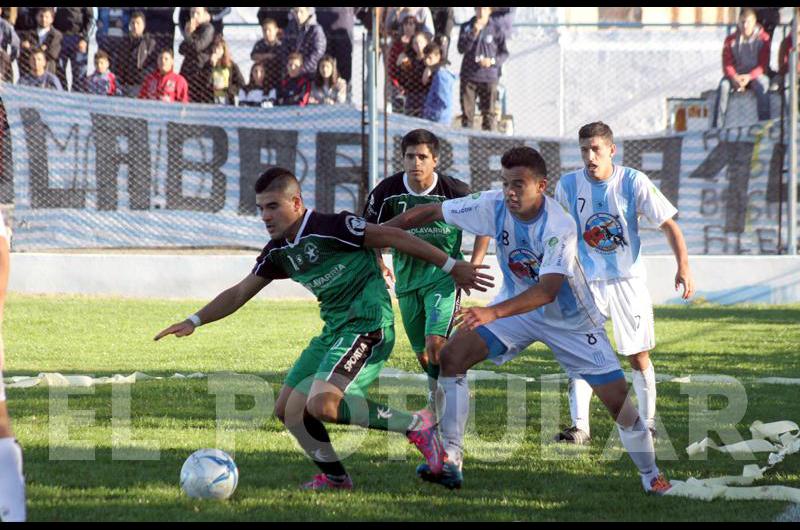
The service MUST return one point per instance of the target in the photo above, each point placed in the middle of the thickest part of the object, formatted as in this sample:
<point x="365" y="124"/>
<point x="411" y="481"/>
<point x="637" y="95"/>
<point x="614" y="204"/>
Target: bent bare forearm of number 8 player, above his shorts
<point x="540" y="294"/>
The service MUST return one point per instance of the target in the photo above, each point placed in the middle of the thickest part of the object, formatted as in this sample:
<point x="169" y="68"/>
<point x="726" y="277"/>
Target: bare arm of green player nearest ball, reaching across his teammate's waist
<point x="466" y="275"/>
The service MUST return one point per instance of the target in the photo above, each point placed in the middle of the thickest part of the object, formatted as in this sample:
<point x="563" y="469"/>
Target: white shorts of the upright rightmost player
<point x="627" y="302"/>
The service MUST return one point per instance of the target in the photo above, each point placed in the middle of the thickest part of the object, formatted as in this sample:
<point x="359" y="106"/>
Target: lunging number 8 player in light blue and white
<point x="544" y="297"/>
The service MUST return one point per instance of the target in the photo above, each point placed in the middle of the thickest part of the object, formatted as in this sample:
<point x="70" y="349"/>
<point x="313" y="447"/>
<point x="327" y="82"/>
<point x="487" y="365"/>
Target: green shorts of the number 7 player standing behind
<point x="429" y="310"/>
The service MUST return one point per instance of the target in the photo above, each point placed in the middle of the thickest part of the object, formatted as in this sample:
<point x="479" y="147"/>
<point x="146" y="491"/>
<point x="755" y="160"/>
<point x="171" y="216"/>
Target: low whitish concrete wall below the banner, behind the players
<point x="719" y="279"/>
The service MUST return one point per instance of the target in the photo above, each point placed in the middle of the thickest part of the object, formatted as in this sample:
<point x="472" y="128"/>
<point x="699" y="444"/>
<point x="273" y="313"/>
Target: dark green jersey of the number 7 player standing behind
<point x="394" y="196"/>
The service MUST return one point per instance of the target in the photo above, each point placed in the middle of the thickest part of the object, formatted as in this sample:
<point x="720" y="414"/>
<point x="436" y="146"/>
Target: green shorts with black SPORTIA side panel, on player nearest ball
<point x="349" y="359"/>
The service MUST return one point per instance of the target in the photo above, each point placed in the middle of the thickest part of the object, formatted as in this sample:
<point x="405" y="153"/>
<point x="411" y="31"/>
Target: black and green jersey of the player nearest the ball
<point x="329" y="259"/>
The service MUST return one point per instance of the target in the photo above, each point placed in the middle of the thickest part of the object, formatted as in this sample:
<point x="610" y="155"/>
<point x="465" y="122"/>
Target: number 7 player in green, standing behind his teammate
<point x="427" y="296"/>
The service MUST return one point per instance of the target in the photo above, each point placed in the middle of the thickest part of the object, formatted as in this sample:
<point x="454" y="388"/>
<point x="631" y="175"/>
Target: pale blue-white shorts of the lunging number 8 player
<point x="580" y="353"/>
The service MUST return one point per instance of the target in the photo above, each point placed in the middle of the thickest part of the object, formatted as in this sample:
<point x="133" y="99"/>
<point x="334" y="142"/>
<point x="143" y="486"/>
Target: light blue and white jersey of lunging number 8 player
<point x="526" y="250"/>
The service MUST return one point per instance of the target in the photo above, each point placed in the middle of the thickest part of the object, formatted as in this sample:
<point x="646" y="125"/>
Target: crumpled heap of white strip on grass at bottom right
<point x="780" y="439"/>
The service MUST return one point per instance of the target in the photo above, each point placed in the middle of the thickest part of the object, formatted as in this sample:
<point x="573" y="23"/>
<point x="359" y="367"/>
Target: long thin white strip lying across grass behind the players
<point x="57" y="379"/>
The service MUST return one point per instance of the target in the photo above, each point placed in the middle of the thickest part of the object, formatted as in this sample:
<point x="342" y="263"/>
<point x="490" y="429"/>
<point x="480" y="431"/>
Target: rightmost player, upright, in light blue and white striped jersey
<point x="607" y="201"/>
